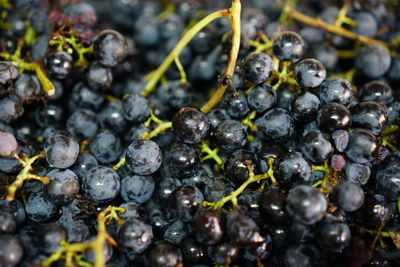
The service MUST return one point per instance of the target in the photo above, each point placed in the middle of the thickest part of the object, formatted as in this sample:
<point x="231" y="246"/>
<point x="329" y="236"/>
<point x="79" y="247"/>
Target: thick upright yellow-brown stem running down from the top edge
<point x="234" y="15"/>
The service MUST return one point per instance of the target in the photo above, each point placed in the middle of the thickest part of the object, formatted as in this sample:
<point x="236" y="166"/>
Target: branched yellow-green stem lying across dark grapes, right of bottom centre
<point x="233" y="197"/>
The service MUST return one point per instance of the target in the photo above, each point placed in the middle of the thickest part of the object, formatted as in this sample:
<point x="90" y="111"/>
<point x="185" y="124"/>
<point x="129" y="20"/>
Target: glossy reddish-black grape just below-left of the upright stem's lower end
<point x="190" y="125"/>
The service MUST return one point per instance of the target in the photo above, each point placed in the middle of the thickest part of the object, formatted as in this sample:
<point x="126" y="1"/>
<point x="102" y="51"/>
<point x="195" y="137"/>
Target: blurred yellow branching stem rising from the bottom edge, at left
<point x="70" y="251"/>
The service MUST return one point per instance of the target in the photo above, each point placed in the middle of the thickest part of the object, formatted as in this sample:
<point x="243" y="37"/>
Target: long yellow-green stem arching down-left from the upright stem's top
<point x="159" y="72"/>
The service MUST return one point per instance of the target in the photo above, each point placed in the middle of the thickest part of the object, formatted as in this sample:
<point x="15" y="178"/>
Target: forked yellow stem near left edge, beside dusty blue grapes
<point x="25" y="174"/>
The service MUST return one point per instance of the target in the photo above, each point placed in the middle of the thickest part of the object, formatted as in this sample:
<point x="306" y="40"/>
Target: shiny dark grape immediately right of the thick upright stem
<point x="257" y="67"/>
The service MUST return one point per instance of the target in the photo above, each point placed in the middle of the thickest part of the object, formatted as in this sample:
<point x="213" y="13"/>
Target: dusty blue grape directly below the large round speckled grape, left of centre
<point x="137" y="188"/>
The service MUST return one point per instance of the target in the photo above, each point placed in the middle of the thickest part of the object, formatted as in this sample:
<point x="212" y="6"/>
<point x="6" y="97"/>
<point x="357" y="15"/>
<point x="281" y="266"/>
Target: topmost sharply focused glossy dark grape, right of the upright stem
<point x="289" y="46"/>
